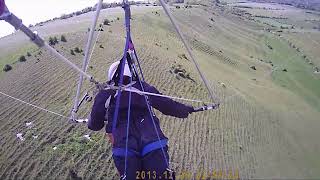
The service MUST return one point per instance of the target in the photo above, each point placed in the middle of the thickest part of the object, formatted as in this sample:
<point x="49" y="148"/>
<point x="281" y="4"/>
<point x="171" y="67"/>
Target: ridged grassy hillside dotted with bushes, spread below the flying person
<point x="267" y="126"/>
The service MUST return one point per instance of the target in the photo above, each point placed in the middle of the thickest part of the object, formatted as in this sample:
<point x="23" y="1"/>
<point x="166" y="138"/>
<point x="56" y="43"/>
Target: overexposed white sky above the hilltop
<point x="34" y="11"/>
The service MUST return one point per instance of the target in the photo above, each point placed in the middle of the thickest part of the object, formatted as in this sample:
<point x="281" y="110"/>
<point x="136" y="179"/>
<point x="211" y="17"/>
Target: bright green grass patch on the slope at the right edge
<point x="300" y="78"/>
